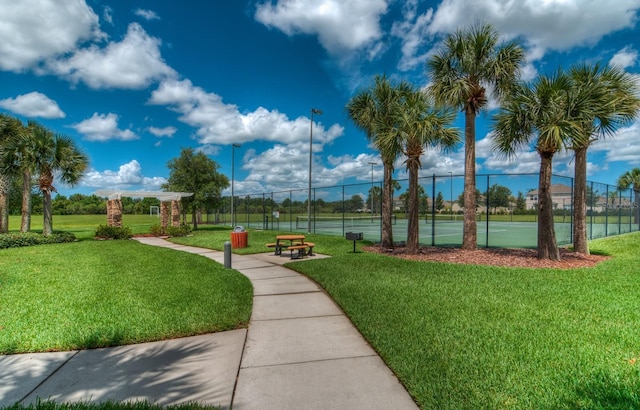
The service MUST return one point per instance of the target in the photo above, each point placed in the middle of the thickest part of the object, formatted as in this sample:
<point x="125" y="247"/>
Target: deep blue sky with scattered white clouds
<point x="133" y="82"/>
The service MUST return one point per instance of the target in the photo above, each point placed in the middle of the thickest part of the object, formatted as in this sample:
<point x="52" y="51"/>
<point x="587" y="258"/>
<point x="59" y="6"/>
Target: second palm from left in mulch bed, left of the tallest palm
<point x="419" y="125"/>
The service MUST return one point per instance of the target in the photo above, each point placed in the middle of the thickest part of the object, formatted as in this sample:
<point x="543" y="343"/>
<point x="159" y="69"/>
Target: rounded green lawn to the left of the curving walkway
<point x="103" y="293"/>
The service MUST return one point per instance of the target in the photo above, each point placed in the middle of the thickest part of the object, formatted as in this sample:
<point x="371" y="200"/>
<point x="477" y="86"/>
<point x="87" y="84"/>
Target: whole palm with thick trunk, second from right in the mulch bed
<point x="537" y="113"/>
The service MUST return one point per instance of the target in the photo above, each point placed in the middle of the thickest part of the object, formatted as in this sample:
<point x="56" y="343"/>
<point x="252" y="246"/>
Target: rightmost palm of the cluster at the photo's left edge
<point x="54" y="154"/>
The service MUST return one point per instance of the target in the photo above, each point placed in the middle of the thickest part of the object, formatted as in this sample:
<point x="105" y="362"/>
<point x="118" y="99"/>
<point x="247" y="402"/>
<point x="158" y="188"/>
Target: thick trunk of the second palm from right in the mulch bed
<point x="547" y="245"/>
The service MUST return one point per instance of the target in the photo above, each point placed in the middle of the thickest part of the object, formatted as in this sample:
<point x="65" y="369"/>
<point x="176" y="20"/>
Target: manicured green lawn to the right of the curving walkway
<point x="463" y="336"/>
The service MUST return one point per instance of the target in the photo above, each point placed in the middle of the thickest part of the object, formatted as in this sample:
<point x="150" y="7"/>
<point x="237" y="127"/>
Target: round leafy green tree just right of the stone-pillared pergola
<point x="196" y="173"/>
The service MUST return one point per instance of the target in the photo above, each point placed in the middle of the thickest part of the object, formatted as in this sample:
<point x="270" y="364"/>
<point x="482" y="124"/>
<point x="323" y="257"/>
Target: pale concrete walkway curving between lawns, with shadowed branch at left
<point x="300" y="351"/>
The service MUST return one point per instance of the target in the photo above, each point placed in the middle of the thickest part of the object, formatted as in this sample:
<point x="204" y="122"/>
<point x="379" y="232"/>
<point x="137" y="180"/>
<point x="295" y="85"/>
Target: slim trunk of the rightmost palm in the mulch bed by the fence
<point x="580" y="243"/>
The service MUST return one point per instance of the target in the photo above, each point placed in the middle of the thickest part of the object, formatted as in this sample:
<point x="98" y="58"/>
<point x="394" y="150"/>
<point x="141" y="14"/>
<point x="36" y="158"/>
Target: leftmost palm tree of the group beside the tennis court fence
<point x="372" y="110"/>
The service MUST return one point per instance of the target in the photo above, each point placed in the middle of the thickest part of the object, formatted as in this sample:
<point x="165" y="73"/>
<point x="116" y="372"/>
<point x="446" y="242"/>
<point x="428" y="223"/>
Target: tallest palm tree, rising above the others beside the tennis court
<point x="470" y="63"/>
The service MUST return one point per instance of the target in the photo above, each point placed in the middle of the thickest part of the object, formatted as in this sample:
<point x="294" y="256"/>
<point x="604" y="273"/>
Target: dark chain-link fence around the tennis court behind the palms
<point x="506" y="209"/>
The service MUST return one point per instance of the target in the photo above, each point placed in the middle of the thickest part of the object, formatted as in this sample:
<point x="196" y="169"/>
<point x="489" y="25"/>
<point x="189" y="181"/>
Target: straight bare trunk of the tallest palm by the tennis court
<point x="469" y="235"/>
